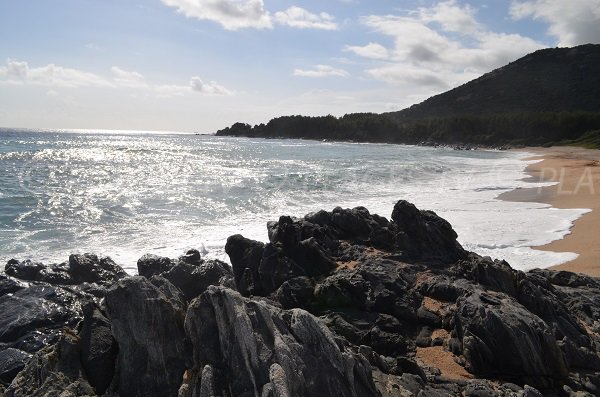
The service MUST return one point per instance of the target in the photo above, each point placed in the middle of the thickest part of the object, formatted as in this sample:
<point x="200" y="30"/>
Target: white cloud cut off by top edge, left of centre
<point x="231" y="14"/>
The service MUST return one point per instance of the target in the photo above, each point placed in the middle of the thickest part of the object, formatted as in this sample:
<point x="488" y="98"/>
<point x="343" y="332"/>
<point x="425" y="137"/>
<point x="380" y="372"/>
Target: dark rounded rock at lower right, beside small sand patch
<point x="501" y="338"/>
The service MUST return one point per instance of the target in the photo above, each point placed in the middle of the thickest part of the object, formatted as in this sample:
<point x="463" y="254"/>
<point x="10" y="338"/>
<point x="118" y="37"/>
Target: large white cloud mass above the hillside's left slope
<point x="441" y="46"/>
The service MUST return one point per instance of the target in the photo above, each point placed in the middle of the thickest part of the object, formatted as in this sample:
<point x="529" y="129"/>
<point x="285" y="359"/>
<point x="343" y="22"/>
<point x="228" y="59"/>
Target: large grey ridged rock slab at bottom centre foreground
<point x="262" y="350"/>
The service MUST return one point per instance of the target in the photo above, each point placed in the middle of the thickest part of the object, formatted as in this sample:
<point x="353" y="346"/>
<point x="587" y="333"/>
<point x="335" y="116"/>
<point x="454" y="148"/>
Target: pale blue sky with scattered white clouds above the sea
<point x="201" y="65"/>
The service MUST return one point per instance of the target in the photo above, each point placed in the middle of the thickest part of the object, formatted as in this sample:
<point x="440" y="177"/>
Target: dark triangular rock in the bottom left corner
<point x="54" y="371"/>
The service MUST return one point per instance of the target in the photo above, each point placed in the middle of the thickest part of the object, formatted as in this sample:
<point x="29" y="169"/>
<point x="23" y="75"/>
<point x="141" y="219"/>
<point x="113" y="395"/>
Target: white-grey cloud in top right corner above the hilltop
<point x="572" y="22"/>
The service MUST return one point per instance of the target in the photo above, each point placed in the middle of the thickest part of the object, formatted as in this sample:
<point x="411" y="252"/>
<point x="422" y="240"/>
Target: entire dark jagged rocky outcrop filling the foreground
<point x="336" y="303"/>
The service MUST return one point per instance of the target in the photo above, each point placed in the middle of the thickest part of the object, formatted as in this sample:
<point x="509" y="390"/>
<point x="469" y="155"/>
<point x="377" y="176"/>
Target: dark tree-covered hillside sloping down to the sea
<point x="547" y="97"/>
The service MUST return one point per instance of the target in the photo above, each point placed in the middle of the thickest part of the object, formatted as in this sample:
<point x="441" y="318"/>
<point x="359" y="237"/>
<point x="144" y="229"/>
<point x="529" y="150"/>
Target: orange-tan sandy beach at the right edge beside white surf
<point x="577" y="171"/>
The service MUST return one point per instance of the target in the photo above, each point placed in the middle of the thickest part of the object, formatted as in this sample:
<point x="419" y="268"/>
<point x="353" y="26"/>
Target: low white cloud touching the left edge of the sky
<point x="19" y="72"/>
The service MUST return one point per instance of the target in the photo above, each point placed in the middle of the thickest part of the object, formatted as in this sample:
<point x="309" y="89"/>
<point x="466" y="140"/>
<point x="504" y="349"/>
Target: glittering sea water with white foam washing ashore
<point x="124" y="194"/>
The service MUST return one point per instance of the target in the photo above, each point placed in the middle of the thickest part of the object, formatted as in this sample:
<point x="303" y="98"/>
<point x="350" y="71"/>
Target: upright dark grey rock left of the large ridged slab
<point x="149" y="331"/>
